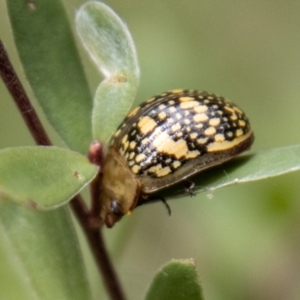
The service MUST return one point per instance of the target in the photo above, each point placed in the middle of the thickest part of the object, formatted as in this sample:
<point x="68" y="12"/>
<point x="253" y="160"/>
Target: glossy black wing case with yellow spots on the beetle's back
<point x="165" y="132"/>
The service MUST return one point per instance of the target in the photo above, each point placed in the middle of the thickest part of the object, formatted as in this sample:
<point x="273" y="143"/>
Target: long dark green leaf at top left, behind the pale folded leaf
<point x="52" y="65"/>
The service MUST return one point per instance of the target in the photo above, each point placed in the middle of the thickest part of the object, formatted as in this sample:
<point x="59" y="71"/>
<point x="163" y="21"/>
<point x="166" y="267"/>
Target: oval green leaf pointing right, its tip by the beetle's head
<point x="43" y="177"/>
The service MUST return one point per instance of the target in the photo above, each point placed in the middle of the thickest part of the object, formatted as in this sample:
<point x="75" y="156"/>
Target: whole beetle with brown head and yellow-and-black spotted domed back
<point x="166" y="140"/>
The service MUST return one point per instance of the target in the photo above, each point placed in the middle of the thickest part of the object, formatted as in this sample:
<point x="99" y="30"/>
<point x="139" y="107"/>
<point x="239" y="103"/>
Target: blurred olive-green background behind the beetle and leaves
<point x="245" y="238"/>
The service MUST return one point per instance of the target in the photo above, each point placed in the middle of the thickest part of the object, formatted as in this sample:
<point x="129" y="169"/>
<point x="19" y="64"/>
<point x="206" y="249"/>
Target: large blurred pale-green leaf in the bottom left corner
<point x="40" y="257"/>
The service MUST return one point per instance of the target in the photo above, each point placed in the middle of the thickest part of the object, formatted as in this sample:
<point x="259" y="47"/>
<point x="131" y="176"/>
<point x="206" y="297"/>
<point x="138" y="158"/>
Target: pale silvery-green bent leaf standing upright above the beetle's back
<point x="110" y="45"/>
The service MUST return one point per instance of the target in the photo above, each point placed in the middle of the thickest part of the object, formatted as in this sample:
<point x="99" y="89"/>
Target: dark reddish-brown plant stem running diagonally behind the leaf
<point x="93" y="233"/>
